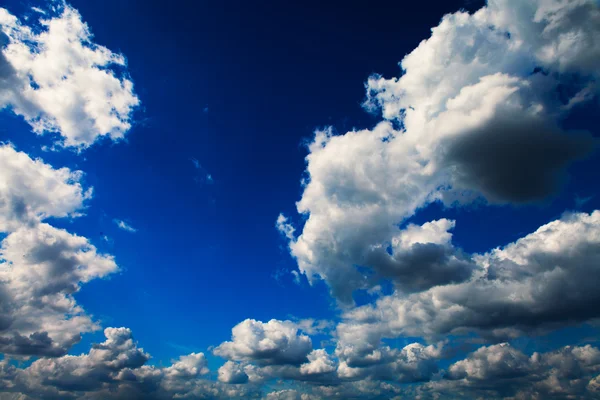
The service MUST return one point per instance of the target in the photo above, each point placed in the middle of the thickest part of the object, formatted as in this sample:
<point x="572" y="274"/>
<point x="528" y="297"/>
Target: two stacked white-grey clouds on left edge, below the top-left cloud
<point x="41" y="267"/>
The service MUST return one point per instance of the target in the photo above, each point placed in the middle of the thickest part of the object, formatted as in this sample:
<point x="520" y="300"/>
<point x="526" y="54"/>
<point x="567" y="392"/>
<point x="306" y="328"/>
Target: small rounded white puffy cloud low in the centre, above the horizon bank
<point x="266" y="343"/>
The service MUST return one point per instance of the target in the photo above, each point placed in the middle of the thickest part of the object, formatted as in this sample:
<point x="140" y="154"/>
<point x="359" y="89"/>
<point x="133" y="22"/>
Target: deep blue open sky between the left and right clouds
<point x="206" y="255"/>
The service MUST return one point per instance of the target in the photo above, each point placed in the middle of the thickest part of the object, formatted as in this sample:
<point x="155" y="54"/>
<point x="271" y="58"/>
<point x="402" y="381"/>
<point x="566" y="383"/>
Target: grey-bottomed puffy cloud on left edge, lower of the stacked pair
<point x="41" y="268"/>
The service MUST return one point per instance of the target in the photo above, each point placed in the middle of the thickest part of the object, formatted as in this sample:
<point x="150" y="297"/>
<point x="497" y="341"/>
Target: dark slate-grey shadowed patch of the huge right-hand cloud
<point x="515" y="158"/>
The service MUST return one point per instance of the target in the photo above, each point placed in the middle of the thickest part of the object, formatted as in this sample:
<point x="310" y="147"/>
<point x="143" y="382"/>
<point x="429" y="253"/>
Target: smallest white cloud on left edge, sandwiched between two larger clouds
<point x="31" y="190"/>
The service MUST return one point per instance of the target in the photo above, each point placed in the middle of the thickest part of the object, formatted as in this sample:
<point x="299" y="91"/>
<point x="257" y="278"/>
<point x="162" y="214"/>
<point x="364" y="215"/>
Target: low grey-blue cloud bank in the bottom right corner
<point x="501" y="371"/>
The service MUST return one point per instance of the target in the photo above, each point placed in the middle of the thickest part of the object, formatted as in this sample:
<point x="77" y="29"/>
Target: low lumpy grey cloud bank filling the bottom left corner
<point x="115" y="369"/>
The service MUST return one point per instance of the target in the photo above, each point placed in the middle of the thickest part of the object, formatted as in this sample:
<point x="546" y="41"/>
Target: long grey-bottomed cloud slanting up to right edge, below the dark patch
<point x="543" y="280"/>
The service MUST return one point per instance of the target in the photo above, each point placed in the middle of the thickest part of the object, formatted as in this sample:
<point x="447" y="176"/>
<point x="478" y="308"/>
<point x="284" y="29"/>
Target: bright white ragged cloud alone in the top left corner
<point x="60" y="81"/>
